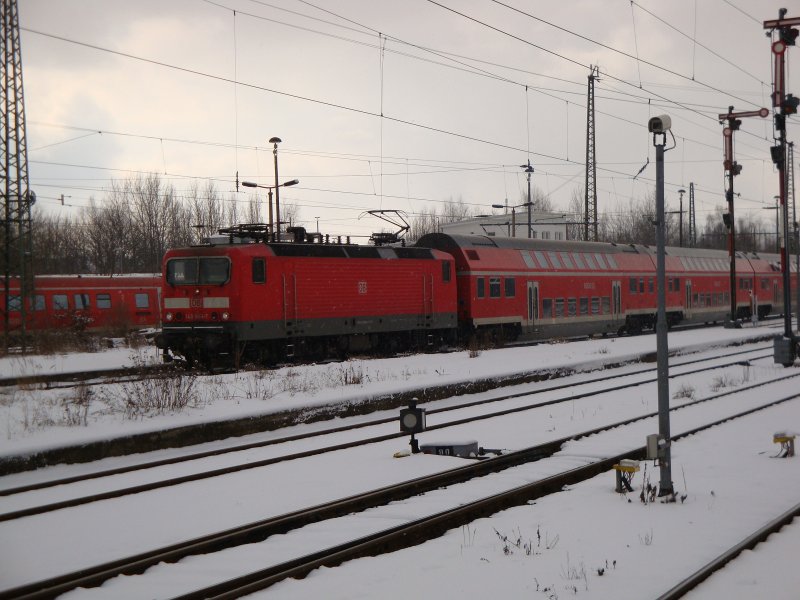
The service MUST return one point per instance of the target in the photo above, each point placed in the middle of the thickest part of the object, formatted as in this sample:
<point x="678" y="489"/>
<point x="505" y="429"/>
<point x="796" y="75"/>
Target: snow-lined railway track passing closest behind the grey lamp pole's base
<point x="254" y="531"/>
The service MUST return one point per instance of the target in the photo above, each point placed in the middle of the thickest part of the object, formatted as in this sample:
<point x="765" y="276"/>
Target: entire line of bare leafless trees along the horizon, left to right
<point x="141" y="217"/>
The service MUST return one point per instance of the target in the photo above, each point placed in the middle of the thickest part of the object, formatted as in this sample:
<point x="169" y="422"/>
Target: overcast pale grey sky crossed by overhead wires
<point x="468" y="91"/>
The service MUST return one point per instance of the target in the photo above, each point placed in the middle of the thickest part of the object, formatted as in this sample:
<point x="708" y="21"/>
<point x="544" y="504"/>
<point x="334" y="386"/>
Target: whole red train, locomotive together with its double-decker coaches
<point x="244" y="297"/>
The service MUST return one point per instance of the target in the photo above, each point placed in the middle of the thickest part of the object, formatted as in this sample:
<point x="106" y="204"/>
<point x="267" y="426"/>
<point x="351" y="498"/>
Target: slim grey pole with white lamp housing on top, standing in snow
<point x="665" y="487"/>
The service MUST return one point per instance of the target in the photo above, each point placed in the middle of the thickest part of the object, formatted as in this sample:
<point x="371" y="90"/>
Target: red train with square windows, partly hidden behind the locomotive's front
<point x="85" y="303"/>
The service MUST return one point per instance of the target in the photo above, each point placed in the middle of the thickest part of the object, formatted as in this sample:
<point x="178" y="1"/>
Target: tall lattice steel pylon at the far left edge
<point x="16" y="196"/>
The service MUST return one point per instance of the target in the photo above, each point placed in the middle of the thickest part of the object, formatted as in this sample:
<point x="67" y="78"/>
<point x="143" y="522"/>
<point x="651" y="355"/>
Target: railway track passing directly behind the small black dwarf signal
<point x="679" y="370"/>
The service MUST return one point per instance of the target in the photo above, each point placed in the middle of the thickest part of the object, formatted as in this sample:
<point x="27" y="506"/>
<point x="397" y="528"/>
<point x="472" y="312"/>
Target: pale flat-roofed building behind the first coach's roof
<point x="544" y="226"/>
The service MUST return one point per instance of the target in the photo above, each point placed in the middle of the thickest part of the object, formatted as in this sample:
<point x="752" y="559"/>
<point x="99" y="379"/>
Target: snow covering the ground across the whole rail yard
<point x="553" y="548"/>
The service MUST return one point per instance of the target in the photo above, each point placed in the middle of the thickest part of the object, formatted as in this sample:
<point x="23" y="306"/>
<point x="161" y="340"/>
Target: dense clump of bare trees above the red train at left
<point x="137" y="221"/>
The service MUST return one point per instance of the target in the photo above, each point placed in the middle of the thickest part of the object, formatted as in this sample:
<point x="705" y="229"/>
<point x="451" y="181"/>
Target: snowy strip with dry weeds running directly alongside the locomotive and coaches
<point x="34" y="419"/>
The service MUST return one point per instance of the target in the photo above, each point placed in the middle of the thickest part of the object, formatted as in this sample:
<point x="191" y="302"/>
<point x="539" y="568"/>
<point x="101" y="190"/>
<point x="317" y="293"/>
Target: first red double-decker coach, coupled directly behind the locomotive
<point x="520" y="288"/>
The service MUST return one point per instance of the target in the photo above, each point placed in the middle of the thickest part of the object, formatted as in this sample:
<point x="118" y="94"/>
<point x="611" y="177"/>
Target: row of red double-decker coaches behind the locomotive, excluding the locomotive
<point x="512" y="288"/>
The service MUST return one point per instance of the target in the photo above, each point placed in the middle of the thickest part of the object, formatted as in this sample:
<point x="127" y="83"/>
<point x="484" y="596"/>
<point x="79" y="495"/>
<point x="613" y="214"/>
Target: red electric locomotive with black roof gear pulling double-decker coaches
<point x="243" y="297"/>
